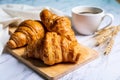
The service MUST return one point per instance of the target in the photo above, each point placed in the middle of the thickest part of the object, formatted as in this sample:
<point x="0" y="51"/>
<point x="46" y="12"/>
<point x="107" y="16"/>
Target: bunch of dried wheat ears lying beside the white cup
<point x="106" y="35"/>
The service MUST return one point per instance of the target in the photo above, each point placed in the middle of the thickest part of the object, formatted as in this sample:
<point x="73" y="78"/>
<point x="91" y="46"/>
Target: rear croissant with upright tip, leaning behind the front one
<point x="54" y="23"/>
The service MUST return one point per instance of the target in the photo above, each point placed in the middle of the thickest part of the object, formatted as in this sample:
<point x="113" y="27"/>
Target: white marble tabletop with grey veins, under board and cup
<point x="103" y="68"/>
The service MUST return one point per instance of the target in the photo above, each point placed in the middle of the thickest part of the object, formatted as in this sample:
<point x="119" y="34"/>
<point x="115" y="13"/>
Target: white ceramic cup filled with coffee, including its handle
<point x="86" y="19"/>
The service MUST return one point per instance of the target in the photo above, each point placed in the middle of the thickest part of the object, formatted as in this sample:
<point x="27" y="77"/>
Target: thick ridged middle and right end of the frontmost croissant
<point x="58" y="49"/>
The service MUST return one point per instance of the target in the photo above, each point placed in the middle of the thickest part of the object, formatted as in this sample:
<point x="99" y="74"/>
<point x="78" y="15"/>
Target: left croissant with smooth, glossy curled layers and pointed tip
<point x="27" y="32"/>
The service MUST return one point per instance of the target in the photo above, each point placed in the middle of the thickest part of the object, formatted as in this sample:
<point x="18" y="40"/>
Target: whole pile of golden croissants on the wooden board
<point x="51" y="40"/>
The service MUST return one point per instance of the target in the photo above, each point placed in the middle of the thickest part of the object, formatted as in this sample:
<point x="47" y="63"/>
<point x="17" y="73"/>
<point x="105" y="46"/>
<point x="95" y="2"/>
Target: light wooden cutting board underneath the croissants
<point x="56" y="71"/>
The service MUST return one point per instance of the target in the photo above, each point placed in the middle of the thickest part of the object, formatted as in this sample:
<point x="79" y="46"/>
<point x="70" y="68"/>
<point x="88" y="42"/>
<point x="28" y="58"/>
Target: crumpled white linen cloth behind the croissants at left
<point x="10" y="13"/>
